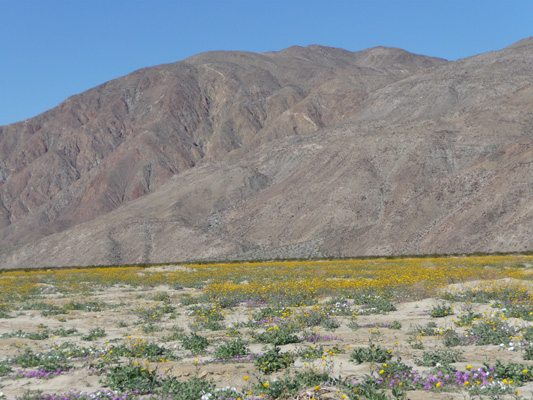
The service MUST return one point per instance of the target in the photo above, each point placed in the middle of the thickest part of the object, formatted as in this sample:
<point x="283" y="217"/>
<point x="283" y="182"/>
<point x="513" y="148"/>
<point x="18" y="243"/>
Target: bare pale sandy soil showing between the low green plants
<point x="122" y="301"/>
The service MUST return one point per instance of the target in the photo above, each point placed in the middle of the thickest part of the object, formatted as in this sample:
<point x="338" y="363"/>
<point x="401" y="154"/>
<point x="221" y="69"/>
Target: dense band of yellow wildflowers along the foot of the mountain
<point x="296" y="282"/>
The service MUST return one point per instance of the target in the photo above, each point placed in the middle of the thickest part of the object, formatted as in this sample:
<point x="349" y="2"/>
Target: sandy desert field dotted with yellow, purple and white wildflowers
<point x="417" y="328"/>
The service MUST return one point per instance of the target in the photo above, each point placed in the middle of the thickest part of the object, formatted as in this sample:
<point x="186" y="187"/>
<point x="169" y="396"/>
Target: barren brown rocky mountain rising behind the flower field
<point x="306" y="152"/>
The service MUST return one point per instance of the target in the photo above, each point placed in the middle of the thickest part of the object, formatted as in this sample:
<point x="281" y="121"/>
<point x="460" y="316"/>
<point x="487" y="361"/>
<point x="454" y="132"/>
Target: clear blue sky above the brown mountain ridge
<point x="53" y="49"/>
